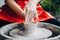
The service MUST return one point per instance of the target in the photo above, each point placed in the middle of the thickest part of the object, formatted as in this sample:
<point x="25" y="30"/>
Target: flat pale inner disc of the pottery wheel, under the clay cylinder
<point x="41" y="33"/>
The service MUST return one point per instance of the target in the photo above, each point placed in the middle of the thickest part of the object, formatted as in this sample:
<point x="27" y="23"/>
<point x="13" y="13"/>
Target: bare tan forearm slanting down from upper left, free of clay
<point x="15" y="7"/>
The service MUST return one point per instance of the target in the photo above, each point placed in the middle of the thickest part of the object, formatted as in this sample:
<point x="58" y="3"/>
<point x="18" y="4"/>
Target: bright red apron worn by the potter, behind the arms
<point x="8" y="15"/>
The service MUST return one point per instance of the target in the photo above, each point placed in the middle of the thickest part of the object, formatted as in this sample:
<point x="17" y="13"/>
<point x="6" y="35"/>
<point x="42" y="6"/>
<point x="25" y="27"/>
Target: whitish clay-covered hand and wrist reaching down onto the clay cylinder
<point x="30" y="10"/>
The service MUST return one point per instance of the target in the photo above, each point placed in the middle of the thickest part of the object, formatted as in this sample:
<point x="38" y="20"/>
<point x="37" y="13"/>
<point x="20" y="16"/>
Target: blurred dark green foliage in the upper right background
<point x="52" y="6"/>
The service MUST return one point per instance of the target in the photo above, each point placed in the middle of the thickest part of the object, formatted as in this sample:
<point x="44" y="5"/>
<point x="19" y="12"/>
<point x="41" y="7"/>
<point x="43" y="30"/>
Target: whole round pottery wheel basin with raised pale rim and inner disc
<point x="11" y="31"/>
